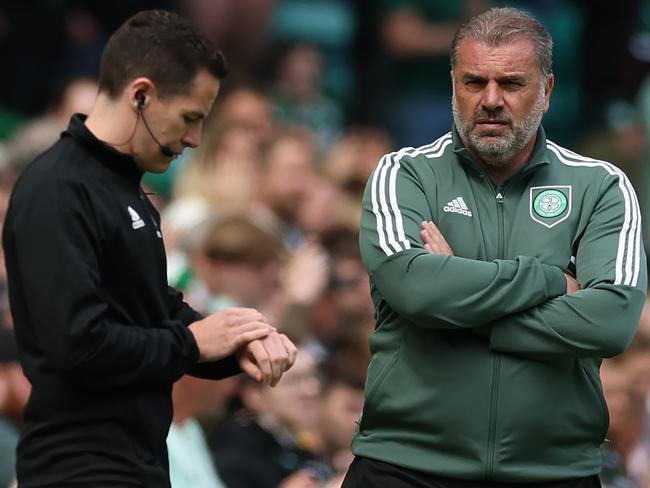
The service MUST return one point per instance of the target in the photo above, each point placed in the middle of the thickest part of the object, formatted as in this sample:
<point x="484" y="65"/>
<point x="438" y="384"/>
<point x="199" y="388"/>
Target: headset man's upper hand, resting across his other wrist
<point x="222" y="333"/>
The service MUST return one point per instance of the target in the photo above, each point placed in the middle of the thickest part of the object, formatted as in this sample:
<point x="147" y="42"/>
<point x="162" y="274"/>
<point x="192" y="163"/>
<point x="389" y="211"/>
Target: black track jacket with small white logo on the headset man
<point x="101" y="335"/>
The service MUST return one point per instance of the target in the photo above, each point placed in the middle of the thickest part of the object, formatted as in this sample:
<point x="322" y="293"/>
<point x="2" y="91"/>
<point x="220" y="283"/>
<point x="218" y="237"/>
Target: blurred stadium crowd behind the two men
<point x="265" y="212"/>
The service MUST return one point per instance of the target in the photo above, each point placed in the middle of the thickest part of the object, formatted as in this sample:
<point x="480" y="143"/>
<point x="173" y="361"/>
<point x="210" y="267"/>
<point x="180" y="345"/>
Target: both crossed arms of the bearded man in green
<point x="522" y="306"/>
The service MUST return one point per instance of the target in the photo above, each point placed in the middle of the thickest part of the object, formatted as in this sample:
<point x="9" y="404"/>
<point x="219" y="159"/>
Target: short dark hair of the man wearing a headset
<point x="162" y="46"/>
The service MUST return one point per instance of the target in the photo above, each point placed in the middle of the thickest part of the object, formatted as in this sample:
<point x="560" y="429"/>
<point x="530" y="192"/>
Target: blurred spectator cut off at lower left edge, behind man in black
<point x="14" y="391"/>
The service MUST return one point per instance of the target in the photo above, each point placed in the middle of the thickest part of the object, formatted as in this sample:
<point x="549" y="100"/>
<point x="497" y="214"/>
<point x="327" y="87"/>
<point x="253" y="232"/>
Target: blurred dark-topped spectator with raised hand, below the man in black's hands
<point x="268" y="445"/>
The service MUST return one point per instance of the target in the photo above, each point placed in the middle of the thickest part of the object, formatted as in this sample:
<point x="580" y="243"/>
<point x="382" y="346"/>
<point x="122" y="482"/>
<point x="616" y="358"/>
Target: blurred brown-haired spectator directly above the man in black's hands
<point x="238" y="260"/>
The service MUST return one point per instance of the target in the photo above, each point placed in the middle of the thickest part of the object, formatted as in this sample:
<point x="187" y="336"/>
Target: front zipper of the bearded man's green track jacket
<point x="496" y="362"/>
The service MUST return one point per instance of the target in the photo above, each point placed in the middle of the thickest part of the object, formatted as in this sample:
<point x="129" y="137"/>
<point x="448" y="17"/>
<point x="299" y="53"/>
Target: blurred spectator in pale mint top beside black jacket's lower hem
<point x="190" y="461"/>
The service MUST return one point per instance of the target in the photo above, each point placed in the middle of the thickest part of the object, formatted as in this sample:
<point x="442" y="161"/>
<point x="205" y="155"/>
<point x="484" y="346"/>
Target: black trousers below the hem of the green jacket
<point x="368" y="473"/>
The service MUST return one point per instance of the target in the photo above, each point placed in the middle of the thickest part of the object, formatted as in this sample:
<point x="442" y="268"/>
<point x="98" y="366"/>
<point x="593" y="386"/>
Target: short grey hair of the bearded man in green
<point x="499" y="26"/>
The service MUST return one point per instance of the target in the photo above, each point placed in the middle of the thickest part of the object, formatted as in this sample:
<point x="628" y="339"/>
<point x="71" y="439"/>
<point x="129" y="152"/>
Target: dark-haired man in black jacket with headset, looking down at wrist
<point x="101" y="335"/>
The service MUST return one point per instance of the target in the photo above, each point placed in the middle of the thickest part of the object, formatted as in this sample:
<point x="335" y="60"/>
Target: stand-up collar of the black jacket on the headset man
<point x="107" y="155"/>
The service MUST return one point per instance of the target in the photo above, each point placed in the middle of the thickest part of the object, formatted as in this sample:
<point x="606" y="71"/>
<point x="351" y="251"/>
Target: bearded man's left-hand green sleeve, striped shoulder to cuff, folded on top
<point x="437" y="290"/>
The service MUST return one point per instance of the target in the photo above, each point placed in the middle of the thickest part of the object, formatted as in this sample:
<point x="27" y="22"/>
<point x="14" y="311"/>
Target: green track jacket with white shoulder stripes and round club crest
<point x="482" y="366"/>
